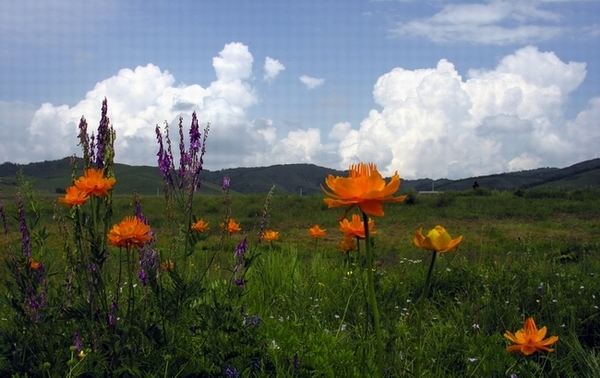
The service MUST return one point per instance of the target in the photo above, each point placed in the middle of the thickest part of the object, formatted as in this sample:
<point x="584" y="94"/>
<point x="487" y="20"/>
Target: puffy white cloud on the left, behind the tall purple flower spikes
<point x="141" y="98"/>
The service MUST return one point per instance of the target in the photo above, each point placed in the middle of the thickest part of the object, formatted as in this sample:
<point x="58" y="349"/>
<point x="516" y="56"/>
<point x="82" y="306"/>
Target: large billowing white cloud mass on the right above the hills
<point x="435" y="123"/>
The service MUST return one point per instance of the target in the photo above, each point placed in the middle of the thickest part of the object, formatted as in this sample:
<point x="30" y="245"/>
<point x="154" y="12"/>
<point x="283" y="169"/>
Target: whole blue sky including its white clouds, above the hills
<point x="428" y="88"/>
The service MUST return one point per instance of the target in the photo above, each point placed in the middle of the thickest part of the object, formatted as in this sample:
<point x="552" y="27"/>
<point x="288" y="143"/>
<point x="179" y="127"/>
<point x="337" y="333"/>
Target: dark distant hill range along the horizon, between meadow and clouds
<point x="54" y="176"/>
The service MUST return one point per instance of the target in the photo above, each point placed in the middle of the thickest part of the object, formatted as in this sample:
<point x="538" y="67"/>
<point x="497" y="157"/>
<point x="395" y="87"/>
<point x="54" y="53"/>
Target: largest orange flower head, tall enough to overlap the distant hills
<point x="364" y="187"/>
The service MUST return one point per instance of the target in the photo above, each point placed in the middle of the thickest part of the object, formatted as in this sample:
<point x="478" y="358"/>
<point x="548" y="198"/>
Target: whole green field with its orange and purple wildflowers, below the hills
<point x="363" y="280"/>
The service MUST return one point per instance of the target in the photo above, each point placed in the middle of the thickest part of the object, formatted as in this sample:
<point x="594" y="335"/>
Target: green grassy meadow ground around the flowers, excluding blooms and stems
<point x="303" y="310"/>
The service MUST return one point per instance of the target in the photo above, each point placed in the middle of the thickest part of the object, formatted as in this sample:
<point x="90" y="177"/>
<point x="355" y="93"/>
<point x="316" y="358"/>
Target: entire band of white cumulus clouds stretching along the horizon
<point x="429" y="122"/>
